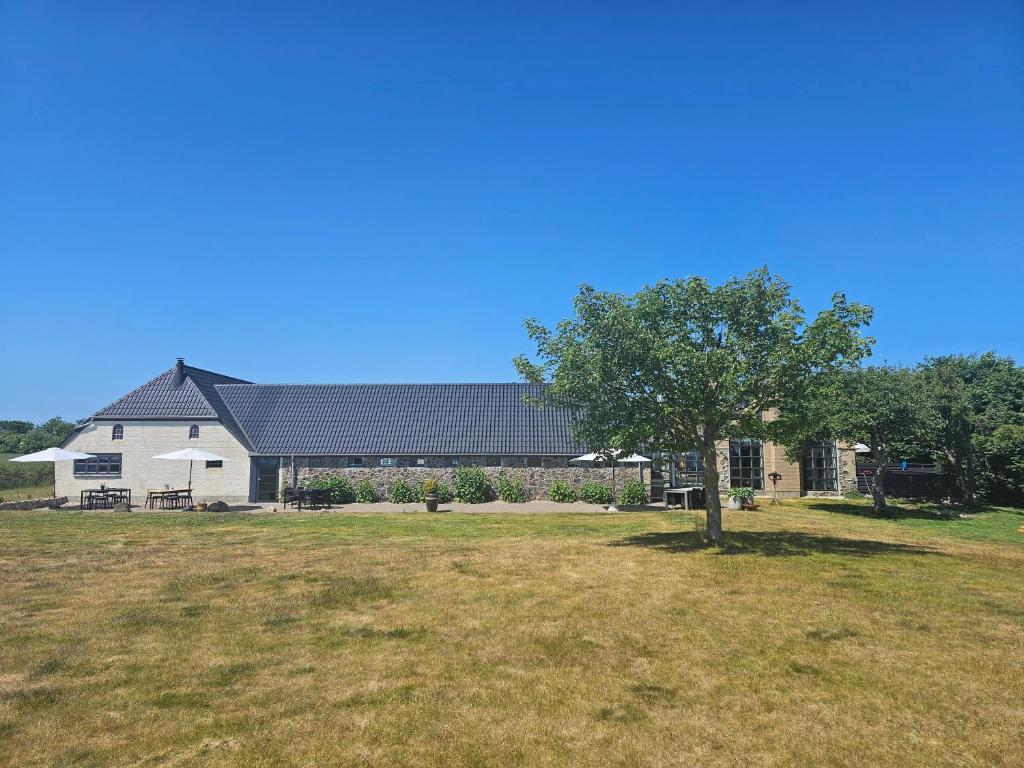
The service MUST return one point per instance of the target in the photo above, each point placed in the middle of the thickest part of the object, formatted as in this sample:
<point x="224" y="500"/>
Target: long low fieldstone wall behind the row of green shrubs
<point x="537" y="481"/>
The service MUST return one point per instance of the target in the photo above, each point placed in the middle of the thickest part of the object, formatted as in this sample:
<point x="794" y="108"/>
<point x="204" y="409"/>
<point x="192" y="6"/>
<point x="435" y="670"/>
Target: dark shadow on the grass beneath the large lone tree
<point x="779" y="544"/>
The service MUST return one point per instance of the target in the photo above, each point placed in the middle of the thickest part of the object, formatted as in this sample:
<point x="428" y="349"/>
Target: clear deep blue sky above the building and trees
<point x="381" y="192"/>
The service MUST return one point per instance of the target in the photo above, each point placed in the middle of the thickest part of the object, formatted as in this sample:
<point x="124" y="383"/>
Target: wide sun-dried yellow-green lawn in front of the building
<point x="817" y="636"/>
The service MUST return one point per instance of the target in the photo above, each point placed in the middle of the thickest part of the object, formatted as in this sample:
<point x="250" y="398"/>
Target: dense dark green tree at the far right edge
<point x="979" y="403"/>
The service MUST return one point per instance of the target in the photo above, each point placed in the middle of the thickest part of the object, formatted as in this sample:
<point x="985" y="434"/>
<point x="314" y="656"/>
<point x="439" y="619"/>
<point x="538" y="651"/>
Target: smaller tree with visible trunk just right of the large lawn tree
<point x="886" y="408"/>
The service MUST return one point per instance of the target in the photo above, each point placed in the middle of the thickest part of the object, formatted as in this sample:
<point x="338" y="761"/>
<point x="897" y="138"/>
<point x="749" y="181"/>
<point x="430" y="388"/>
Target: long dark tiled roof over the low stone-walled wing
<point x="399" y="419"/>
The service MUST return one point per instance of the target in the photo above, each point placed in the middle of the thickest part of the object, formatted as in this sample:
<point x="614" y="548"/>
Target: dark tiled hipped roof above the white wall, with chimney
<point x="196" y="398"/>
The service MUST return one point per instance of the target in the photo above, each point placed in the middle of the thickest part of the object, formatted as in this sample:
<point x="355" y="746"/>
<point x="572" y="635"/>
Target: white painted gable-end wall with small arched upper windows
<point x="140" y="472"/>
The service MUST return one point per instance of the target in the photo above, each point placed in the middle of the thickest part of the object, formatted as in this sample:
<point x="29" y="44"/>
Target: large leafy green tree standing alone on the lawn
<point x="684" y="365"/>
